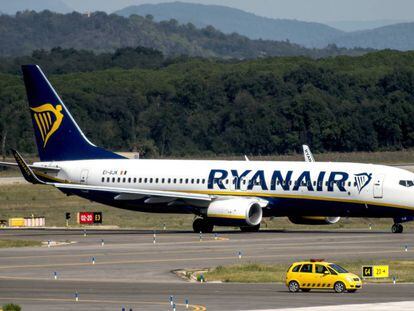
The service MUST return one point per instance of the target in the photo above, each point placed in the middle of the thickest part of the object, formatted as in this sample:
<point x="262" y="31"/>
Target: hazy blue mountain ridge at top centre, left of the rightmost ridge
<point x="231" y="20"/>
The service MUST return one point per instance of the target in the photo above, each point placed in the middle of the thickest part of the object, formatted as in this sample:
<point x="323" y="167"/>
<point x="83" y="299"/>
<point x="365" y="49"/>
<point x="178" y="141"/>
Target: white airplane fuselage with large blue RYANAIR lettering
<point x="363" y="184"/>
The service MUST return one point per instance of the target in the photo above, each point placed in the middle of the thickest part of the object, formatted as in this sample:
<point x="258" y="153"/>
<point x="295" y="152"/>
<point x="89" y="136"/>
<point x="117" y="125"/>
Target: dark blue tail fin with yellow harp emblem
<point x="58" y="137"/>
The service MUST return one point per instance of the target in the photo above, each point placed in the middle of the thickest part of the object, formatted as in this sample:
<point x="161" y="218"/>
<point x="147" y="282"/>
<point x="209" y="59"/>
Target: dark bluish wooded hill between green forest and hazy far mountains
<point x="28" y="31"/>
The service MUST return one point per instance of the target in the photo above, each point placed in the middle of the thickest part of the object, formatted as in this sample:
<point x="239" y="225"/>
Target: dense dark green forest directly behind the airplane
<point x="203" y="106"/>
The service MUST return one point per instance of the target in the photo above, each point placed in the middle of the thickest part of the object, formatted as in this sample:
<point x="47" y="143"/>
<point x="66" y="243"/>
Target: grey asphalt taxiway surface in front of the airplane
<point x="133" y="272"/>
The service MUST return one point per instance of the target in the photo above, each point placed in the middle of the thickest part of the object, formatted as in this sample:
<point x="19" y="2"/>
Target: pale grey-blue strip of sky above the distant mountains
<point x="307" y="10"/>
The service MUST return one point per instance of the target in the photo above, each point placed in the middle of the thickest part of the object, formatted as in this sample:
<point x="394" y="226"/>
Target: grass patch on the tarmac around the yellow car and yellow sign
<point x="403" y="270"/>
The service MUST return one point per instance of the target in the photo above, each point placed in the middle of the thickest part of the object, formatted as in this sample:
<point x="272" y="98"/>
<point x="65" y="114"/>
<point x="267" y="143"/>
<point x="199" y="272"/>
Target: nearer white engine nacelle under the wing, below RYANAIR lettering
<point x="238" y="212"/>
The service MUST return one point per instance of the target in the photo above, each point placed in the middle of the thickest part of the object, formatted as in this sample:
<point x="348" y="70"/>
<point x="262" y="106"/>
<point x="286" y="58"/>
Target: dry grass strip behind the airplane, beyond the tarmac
<point x="24" y="200"/>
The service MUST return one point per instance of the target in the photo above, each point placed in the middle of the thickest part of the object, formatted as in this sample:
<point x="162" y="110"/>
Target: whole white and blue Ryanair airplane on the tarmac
<point x="218" y="193"/>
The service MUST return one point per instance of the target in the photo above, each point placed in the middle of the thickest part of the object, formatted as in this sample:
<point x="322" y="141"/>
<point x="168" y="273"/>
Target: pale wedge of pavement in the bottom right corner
<point x="400" y="306"/>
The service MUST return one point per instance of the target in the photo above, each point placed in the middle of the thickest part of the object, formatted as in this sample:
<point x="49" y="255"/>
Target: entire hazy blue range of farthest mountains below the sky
<point x="308" y="34"/>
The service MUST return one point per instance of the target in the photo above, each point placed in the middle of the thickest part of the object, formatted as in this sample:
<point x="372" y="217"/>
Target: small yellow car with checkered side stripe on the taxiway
<point x="318" y="274"/>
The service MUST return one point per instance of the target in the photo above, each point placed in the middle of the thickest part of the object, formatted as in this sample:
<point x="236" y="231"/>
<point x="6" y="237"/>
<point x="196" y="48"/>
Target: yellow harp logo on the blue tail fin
<point x="48" y="120"/>
